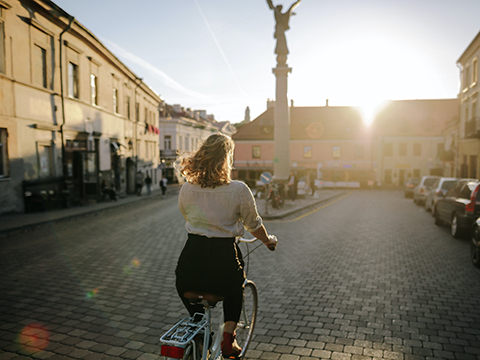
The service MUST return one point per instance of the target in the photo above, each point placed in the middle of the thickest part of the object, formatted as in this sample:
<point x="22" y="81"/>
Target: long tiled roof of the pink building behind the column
<point x="397" y="118"/>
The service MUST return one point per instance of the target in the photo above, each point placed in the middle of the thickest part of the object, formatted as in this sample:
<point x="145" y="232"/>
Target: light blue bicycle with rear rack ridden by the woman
<point x="192" y="338"/>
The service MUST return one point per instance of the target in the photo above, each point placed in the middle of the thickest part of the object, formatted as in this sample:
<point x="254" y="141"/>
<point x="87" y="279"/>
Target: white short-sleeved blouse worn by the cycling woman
<point x="224" y="211"/>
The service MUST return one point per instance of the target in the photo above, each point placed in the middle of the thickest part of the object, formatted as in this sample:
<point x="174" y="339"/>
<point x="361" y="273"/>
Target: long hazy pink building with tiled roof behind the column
<point x="405" y="140"/>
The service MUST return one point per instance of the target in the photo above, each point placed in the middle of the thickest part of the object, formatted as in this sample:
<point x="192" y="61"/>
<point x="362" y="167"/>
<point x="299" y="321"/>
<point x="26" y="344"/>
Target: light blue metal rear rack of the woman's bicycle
<point x="184" y="331"/>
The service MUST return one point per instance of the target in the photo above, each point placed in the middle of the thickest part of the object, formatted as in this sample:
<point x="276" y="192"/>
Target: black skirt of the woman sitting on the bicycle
<point x="213" y="265"/>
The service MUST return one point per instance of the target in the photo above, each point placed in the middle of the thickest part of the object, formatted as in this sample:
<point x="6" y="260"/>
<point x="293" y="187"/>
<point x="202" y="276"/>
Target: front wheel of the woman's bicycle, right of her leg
<point x="248" y="317"/>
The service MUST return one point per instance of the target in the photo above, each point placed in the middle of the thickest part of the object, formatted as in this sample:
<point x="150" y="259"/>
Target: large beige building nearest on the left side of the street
<point x="73" y="118"/>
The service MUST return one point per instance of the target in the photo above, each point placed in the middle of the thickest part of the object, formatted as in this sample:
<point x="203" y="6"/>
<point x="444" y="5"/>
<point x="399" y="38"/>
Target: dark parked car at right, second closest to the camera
<point x="458" y="207"/>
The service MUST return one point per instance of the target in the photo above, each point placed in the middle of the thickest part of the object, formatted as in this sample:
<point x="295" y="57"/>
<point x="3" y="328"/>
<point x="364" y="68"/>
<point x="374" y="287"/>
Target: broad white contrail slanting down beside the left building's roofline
<point x="167" y="80"/>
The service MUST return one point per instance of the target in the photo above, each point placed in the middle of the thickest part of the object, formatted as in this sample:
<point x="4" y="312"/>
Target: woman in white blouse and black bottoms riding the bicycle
<point x="217" y="210"/>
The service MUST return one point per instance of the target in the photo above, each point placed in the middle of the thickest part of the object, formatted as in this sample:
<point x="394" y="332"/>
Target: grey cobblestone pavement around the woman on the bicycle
<point x="366" y="276"/>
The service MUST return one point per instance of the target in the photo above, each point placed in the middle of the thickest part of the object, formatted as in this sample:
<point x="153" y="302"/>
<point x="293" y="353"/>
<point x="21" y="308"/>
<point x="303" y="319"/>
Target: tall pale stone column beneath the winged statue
<point x="281" y="165"/>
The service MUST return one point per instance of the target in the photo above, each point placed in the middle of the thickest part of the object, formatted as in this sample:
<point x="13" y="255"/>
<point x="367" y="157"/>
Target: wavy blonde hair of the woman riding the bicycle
<point x="209" y="166"/>
